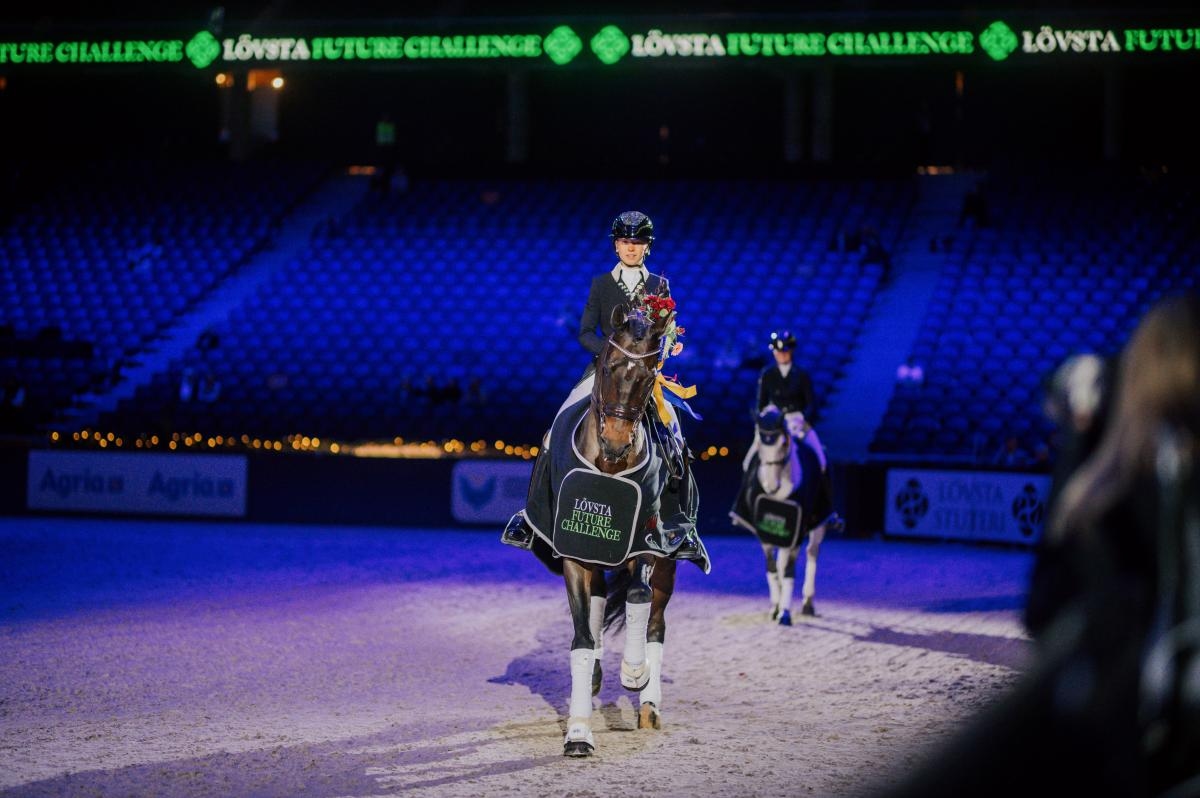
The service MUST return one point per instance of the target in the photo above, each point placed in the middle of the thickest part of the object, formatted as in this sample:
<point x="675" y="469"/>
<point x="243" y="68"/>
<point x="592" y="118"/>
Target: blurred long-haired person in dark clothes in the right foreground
<point x="1111" y="705"/>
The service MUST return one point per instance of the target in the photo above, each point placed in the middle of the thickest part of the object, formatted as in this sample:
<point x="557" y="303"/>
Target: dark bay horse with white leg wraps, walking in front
<point x="616" y="441"/>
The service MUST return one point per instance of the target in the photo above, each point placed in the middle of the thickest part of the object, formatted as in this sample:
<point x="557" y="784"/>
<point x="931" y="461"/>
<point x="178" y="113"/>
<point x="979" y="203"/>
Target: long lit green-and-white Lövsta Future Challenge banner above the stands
<point x="607" y="45"/>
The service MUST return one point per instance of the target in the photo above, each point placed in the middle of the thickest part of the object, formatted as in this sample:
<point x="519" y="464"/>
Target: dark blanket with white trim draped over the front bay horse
<point x="604" y="519"/>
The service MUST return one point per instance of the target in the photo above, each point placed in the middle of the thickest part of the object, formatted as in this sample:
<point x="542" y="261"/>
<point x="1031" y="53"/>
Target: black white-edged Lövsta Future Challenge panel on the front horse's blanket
<point x="596" y="517"/>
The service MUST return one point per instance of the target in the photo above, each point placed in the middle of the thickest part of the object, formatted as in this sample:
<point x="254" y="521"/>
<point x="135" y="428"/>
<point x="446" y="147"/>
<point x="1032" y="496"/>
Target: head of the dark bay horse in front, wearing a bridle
<point x="626" y="376"/>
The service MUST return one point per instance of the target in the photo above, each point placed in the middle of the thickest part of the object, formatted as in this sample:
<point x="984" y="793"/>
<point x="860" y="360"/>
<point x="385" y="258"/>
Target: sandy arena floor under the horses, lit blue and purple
<point x="196" y="659"/>
